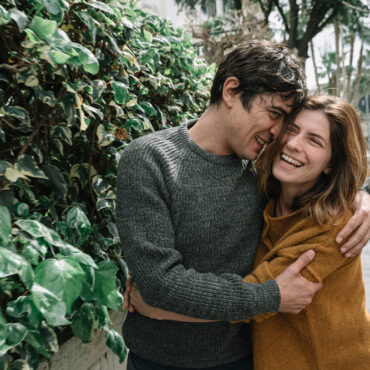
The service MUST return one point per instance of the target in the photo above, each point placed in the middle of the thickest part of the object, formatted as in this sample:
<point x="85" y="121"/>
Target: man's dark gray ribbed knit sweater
<point x="190" y="223"/>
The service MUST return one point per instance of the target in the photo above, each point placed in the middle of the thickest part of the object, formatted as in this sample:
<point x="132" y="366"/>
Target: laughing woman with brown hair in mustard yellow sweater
<point x="310" y="175"/>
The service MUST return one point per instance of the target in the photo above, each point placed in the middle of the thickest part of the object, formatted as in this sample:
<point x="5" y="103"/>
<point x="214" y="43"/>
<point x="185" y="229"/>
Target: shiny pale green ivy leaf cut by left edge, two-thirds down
<point x="12" y="263"/>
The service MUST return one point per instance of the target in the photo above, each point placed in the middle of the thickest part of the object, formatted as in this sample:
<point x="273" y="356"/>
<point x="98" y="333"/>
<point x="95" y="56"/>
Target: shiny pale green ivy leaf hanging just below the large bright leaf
<point x="51" y="307"/>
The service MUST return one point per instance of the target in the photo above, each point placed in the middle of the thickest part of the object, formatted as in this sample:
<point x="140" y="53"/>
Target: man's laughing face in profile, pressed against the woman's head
<point x="249" y="131"/>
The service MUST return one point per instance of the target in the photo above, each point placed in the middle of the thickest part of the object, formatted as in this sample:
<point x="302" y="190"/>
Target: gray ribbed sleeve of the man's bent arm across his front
<point x="145" y="219"/>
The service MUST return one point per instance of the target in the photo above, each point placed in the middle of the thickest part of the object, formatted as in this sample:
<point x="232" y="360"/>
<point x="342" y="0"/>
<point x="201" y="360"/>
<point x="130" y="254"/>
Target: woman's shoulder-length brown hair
<point x="334" y="192"/>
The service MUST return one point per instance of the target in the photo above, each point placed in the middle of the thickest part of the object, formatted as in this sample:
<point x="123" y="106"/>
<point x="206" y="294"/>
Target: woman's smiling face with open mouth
<point x="305" y="152"/>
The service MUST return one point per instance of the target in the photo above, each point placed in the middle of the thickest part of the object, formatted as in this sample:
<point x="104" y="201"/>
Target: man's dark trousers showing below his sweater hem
<point x="136" y="363"/>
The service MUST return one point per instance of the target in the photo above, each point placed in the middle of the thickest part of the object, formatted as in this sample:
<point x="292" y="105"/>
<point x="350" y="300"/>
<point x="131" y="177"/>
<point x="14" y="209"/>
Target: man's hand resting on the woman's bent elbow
<point x="296" y="291"/>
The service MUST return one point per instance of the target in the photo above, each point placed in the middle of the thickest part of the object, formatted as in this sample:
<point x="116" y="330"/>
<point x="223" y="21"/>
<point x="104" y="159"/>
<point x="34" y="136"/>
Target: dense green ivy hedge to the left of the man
<point x="78" y="81"/>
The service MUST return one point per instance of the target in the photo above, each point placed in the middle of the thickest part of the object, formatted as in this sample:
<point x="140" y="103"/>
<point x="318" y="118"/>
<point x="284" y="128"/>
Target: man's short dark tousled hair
<point x="260" y="67"/>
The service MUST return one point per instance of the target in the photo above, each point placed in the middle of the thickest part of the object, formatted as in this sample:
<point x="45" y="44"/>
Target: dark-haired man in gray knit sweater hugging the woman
<point x="190" y="218"/>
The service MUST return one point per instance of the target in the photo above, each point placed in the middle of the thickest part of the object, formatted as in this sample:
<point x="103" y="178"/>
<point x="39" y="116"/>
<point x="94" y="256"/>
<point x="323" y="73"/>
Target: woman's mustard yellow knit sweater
<point x="331" y="333"/>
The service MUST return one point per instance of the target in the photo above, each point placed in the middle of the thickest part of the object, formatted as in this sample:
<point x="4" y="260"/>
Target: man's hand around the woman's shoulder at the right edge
<point x="360" y="222"/>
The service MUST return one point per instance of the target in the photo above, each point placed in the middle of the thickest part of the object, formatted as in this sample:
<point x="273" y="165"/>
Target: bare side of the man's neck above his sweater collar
<point x="208" y="132"/>
